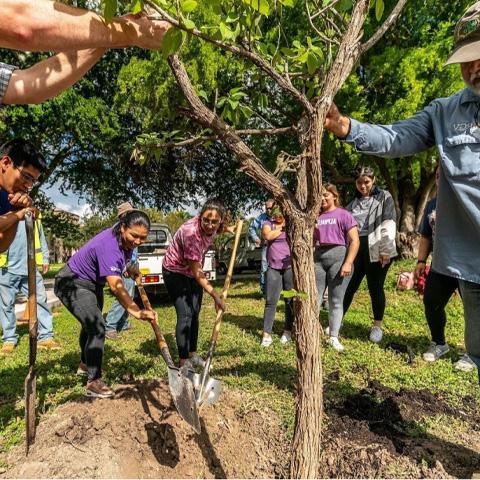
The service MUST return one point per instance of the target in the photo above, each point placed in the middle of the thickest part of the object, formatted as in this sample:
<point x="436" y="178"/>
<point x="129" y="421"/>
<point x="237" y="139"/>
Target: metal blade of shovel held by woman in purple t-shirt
<point x="181" y="389"/>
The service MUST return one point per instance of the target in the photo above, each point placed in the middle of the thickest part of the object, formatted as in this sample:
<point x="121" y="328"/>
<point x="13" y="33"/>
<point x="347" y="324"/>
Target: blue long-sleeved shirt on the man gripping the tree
<point x="449" y="124"/>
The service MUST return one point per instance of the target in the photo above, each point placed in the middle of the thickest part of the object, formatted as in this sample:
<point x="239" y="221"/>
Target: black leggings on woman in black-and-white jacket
<point x="375" y="274"/>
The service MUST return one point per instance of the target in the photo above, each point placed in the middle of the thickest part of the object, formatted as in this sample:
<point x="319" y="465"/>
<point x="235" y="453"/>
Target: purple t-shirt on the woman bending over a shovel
<point x="100" y="257"/>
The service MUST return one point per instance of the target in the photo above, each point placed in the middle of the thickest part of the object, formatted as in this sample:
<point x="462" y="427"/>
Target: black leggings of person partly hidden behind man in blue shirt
<point x="438" y="291"/>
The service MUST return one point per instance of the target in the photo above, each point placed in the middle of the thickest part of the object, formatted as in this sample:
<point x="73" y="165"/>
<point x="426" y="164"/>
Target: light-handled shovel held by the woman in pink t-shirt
<point x="207" y="388"/>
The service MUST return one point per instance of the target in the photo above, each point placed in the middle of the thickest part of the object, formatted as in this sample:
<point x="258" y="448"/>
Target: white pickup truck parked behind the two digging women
<point x="152" y="252"/>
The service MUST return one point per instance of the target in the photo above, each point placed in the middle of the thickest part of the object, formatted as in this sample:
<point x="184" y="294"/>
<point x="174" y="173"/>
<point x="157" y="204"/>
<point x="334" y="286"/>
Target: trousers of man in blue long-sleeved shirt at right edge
<point x="470" y="293"/>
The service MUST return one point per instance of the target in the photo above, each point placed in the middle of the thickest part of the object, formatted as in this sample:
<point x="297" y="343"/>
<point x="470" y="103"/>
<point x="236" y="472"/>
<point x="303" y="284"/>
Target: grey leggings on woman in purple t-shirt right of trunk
<point x="328" y="262"/>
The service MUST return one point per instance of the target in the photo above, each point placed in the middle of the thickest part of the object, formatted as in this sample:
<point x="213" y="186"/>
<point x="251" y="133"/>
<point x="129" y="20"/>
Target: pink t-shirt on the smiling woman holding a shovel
<point x="189" y="243"/>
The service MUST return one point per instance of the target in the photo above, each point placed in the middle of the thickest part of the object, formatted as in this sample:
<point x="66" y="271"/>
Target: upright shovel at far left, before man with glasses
<point x="31" y="378"/>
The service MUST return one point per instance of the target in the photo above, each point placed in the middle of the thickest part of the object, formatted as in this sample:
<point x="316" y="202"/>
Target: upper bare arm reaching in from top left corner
<point x="44" y="25"/>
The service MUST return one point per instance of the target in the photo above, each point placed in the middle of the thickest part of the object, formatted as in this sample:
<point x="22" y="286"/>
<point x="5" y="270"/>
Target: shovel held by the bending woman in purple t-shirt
<point x="181" y="388"/>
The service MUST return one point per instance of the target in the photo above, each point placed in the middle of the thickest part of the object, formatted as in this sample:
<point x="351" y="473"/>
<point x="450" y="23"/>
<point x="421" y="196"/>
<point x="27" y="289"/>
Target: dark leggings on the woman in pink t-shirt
<point x="186" y="295"/>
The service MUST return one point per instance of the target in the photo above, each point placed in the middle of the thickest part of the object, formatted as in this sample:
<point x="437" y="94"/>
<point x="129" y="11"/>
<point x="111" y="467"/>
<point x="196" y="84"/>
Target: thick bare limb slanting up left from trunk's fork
<point x="249" y="162"/>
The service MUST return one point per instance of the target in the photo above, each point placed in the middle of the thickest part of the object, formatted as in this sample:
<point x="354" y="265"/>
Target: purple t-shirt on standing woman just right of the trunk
<point x="332" y="227"/>
